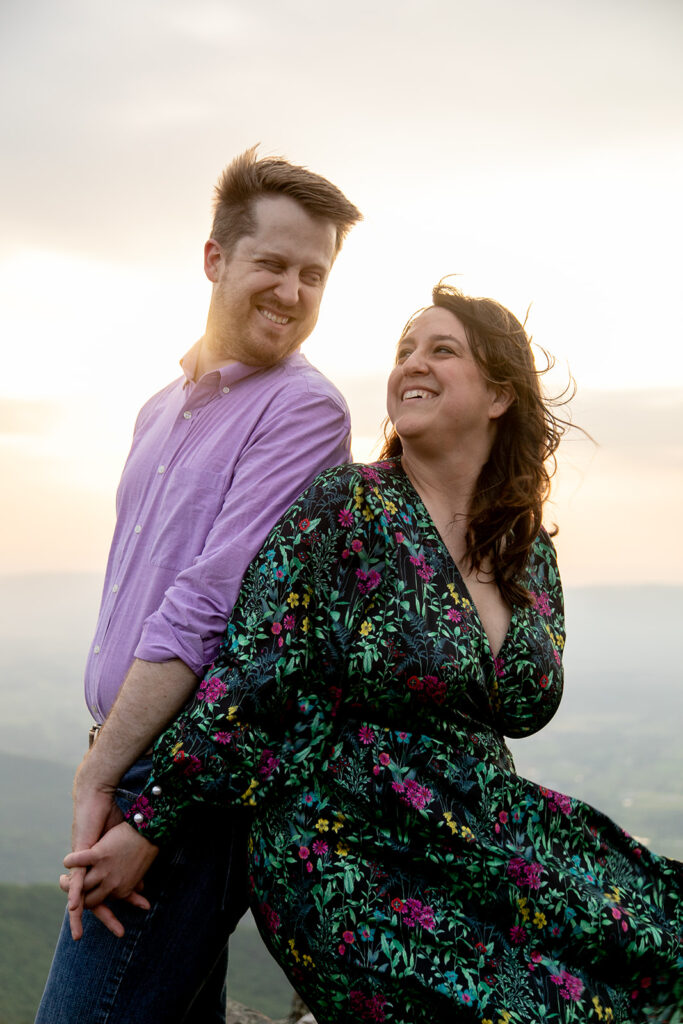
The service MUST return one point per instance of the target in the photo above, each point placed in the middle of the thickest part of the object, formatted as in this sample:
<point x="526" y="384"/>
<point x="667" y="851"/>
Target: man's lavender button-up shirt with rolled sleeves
<point x="214" y="466"/>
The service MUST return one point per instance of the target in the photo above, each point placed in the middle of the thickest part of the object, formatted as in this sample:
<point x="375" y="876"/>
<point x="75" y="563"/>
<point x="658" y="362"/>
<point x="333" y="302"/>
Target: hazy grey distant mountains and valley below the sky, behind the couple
<point x="615" y="741"/>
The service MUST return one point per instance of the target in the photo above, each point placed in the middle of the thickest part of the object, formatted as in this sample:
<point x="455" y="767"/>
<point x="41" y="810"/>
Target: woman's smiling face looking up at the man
<point x="437" y="393"/>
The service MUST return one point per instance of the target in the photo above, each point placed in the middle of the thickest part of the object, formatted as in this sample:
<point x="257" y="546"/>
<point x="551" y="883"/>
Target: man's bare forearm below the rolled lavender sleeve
<point x="152" y="695"/>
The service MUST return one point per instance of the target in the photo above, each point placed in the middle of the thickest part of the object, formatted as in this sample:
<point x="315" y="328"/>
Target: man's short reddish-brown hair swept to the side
<point x="247" y="180"/>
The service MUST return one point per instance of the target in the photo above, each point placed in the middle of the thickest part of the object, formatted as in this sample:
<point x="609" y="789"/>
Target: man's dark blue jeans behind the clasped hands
<point x="170" y="966"/>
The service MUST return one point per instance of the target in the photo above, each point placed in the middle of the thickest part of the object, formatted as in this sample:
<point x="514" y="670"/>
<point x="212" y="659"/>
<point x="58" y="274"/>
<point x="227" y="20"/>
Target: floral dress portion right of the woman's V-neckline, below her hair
<point x="529" y="679"/>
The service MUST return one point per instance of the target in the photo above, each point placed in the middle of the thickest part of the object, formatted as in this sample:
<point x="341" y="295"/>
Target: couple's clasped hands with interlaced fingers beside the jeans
<point x="110" y="858"/>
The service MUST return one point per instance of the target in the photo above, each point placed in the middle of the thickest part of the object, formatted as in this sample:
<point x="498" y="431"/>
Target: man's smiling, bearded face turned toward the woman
<point x="267" y="293"/>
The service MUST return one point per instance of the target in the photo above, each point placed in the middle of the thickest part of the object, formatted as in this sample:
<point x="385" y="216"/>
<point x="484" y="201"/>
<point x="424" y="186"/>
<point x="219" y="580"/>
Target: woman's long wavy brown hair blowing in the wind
<point x="507" y="507"/>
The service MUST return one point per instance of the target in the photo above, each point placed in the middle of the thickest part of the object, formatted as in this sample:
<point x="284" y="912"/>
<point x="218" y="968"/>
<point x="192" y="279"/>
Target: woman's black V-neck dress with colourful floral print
<point x="400" y="870"/>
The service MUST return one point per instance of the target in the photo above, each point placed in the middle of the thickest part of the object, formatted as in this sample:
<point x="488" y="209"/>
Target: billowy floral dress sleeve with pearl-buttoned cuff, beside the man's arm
<point x="269" y="702"/>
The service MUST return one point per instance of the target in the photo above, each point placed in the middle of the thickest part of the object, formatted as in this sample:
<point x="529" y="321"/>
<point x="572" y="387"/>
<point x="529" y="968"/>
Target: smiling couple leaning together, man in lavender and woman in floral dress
<point x="348" y="737"/>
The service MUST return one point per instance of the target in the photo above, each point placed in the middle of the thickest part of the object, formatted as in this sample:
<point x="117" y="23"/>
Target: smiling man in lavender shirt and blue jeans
<point x="218" y="457"/>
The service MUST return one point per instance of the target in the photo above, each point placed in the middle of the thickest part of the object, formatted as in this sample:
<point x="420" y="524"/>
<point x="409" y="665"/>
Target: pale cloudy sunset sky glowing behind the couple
<point x="534" y="150"/>
